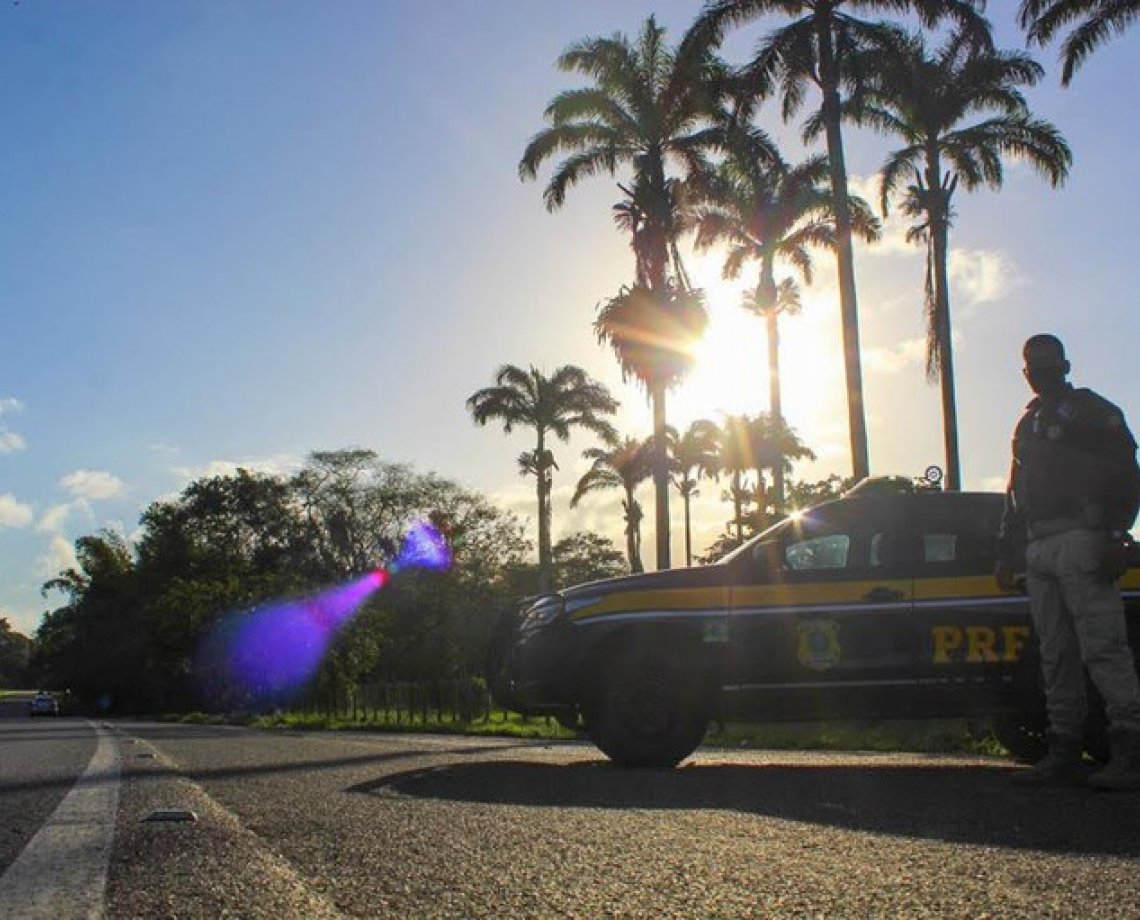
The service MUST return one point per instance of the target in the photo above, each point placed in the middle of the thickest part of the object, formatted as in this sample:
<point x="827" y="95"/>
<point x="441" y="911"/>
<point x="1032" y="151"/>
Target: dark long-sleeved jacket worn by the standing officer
<point x="1074" y="460"/>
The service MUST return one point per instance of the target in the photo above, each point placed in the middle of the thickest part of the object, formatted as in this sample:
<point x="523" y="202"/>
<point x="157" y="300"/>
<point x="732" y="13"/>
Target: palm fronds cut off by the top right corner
<point x="1100" y="19"/>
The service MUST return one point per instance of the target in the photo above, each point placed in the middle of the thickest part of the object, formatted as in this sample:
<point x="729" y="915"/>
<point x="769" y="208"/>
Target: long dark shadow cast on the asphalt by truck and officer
<point x="963" y="804"/>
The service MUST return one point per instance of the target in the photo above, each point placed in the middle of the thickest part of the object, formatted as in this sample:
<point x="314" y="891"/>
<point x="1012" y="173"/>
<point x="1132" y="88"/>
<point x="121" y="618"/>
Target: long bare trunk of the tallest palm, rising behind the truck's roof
<point x="845" y="258"/>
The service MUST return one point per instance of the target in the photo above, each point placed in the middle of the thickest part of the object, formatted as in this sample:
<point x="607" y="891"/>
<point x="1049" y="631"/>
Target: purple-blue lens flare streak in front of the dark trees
<point x="266" y="656"/>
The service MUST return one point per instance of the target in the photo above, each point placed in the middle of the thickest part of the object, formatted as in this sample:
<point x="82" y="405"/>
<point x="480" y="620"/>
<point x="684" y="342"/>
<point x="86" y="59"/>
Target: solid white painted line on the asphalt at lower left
<point x="63" y="872"/>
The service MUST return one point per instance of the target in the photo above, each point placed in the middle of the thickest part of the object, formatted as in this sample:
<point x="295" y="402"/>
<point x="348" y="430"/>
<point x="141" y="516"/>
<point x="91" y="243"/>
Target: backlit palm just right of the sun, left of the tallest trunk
<point x="767" y="211"/>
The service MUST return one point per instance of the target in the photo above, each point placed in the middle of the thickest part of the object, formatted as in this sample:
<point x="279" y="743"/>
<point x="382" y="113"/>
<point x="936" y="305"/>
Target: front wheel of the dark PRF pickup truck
<point x="652" y="710"/>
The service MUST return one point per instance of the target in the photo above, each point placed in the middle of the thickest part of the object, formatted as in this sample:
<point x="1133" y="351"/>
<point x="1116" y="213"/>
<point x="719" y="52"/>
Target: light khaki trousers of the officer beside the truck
<point x="1079" y="616"/>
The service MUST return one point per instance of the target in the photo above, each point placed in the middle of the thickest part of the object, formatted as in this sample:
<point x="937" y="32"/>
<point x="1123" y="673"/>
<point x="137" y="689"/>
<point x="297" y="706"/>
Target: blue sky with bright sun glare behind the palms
<point x="232" y="234"/>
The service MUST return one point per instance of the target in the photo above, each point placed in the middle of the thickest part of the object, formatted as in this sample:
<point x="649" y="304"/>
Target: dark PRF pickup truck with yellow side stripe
<point x="878" y="605"/>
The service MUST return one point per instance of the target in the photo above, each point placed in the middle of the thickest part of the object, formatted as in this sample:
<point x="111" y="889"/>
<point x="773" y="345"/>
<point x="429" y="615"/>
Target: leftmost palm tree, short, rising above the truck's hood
<point x="557" y="405"/>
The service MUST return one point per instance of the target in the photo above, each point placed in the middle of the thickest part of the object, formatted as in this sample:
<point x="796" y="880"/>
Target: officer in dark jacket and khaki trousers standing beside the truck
<point x="1073" y="495"/>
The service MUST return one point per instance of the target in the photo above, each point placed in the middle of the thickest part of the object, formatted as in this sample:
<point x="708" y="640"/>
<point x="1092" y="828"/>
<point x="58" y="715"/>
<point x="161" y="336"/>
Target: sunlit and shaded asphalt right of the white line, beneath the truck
<point x="409" y="826"/>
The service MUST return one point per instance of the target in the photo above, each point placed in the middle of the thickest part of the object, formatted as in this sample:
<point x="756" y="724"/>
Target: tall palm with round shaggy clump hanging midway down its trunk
<point x="646" y="109"/>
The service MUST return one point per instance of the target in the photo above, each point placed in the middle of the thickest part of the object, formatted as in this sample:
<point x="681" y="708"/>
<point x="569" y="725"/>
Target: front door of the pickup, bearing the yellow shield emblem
<point x="820" y="623"/>
